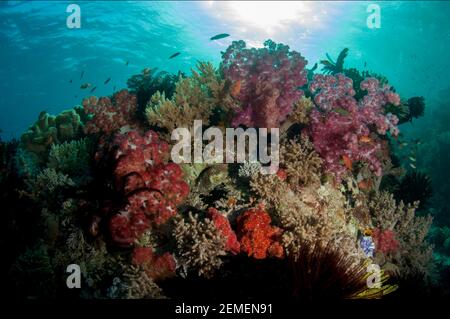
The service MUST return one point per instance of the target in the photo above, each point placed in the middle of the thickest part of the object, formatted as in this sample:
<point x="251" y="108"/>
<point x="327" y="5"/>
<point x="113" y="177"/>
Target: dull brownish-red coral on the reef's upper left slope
<point x="109" y="115"/>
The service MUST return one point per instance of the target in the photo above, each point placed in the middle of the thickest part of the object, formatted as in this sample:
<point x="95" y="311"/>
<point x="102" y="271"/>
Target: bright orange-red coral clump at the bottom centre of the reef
<point x="257" y="237"/>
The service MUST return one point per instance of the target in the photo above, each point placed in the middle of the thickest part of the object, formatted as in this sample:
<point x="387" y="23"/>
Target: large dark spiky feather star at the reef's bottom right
<point x="326" y="272"/>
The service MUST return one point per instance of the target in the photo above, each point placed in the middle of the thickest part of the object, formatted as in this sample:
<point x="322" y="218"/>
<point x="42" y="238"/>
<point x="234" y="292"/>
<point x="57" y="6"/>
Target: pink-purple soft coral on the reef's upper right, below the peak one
<point x="342" y="128"/>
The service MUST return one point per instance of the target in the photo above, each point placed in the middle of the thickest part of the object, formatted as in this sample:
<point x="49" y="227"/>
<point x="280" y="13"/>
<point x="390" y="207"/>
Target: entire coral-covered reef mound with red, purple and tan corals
<point x="103" y="189"/>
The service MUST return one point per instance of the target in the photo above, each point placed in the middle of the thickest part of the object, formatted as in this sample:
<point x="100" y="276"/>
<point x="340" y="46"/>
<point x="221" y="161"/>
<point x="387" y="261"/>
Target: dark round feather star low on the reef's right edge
<point x="415" y="186"/>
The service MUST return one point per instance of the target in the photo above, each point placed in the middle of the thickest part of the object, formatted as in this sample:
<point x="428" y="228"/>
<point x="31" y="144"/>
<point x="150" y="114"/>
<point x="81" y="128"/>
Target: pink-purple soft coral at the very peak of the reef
<point x="268" y="81"/>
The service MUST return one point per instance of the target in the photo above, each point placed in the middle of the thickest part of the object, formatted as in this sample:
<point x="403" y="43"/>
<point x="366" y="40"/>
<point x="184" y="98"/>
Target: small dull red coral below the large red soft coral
<point x="157" y="267"/>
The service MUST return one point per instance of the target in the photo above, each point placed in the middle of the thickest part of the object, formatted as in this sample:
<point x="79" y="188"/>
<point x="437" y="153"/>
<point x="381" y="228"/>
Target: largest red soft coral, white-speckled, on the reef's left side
<point x="152" y="187"/>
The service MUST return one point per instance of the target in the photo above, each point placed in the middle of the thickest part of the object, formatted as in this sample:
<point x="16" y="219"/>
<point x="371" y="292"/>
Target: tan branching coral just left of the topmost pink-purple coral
<point x="195" y="98"/>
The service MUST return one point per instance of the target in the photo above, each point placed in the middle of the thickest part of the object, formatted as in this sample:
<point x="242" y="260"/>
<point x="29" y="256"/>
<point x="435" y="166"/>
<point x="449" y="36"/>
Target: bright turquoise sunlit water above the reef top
<point x="39" y="55"/>
